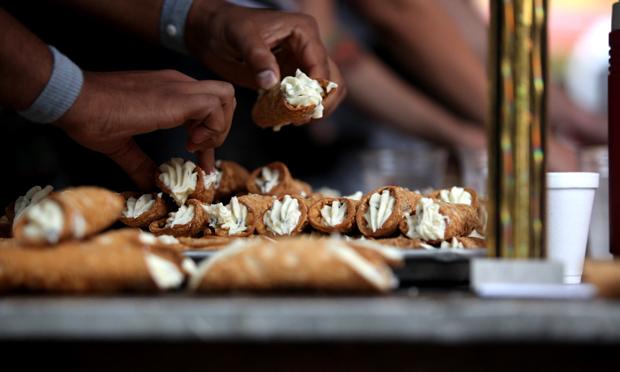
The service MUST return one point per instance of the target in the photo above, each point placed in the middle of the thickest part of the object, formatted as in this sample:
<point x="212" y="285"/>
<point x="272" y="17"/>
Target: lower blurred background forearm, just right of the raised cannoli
<point x="373" y="87"/>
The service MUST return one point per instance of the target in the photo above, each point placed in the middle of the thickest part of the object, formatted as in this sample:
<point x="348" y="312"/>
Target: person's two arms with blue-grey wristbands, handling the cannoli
<point x="104" y="111"/>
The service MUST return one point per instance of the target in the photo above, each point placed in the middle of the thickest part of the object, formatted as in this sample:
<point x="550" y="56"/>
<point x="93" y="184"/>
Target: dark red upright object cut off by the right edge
<point x="614" y="141"/>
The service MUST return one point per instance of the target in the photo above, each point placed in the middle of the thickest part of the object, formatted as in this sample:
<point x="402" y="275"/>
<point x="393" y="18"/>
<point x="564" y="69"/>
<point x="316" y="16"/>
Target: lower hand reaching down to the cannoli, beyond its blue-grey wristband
<point x="113" y="107"/>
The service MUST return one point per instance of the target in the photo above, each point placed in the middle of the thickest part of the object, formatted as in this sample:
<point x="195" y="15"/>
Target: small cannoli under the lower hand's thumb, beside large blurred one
<point x="141" y="210"/>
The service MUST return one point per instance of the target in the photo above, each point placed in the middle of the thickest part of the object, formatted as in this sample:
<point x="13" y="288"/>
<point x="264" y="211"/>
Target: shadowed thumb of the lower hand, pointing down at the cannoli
<point x="135" y="163"/>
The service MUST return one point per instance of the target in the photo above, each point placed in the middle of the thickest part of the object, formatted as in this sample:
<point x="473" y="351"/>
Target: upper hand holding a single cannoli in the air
<point x="254" y="48"/>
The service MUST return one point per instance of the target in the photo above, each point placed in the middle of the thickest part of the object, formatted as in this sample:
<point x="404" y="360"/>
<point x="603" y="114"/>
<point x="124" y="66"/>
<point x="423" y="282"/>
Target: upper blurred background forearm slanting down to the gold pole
<point x="421" y="34"/>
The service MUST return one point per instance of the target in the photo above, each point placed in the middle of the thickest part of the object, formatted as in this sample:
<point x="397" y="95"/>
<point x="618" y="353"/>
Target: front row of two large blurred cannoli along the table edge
<point x="132" y="260"/>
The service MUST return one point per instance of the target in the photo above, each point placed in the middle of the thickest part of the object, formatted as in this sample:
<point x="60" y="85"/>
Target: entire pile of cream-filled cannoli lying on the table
<point x="269" y="231"/>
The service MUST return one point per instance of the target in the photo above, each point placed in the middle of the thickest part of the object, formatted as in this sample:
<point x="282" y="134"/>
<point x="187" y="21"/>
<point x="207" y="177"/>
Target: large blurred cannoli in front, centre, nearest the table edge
<point x="301" y="263"/>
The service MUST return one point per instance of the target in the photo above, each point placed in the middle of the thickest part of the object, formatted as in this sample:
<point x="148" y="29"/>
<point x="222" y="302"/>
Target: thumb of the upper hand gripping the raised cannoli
<point x="257" y="55"/>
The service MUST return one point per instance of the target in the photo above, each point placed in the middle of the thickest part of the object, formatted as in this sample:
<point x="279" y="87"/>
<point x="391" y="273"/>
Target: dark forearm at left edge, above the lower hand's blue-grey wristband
<point x="21" y="79"/>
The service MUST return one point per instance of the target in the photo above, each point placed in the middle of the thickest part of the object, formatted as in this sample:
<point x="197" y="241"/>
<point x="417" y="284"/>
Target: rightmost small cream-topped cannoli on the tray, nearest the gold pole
<point x="435" y="221"/>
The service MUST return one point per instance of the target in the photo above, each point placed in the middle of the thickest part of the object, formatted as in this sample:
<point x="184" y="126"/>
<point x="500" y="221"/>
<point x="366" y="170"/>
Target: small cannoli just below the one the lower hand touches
<point x="188" y="221"/>
